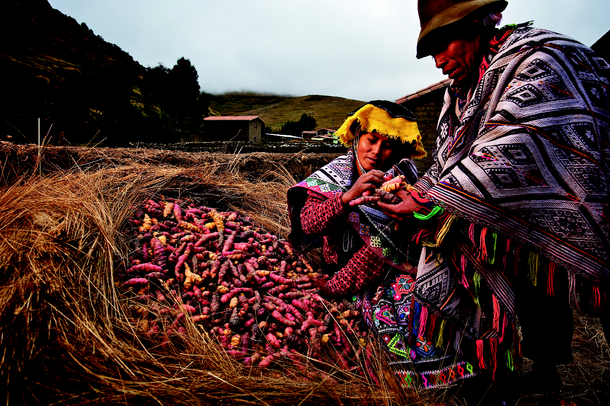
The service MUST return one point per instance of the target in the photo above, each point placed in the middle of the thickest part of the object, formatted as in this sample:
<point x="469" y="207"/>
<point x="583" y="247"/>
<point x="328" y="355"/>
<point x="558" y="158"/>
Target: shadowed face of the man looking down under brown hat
<point x="460" y="60"/>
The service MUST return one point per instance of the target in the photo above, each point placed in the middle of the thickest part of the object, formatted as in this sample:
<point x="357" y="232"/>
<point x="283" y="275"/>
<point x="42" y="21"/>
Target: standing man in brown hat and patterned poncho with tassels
<point x="520" y="171"/>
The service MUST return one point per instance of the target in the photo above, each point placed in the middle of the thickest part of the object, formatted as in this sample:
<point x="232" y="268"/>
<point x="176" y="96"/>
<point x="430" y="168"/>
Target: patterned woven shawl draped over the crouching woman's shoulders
<point x="373" y="226"/>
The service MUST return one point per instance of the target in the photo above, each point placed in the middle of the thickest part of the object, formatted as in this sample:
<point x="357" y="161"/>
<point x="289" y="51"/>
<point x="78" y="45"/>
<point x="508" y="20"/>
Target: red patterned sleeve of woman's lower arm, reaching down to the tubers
<point x="362" y="268"/>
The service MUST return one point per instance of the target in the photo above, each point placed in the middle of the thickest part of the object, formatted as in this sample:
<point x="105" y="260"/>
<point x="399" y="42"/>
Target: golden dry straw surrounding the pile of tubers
<point x="67" y="333"/>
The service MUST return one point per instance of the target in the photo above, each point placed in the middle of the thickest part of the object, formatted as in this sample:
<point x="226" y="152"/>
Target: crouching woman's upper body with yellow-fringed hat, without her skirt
<point x="379" y="134"/>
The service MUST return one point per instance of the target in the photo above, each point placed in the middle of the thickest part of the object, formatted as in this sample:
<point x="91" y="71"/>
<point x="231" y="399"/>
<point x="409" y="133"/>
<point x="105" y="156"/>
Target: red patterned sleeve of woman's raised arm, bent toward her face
<point x="320" y="216"/>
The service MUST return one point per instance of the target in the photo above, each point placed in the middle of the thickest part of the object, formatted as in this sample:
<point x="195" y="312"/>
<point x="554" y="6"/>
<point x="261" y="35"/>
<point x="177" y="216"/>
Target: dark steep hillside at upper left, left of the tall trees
<point x="63" y="74"/>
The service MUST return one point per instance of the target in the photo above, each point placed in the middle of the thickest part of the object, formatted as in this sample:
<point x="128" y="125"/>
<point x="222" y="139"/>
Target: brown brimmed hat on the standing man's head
<point x="437" y="16"/>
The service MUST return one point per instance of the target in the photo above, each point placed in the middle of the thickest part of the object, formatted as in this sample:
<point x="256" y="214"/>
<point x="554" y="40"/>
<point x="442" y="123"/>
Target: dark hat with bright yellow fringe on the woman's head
<point x="386" y="118"/>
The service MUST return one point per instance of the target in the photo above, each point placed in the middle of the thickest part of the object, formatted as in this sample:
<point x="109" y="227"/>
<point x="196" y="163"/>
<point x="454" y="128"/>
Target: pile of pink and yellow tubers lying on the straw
<point x="243" y="285"/>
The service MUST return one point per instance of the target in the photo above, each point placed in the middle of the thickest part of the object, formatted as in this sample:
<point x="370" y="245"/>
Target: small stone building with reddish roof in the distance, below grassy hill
<point x="233" y="128"/>
